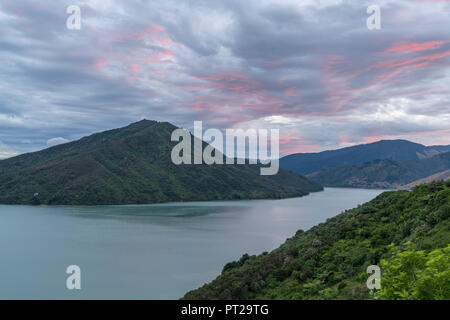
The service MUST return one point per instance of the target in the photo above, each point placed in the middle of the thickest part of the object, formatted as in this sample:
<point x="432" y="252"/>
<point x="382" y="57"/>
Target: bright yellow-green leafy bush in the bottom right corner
<point x="415" y="274"/>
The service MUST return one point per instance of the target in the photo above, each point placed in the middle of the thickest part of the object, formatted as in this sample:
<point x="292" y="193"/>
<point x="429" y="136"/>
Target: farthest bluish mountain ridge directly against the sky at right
<point x="306" y="163"/>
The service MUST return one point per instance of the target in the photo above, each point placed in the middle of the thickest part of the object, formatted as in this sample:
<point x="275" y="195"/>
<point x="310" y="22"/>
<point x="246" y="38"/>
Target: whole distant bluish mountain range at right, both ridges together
<point x="382" y="164"/>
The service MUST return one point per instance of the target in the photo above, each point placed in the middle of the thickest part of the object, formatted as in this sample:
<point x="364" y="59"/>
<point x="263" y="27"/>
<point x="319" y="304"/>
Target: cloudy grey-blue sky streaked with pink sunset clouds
<point x="311" y="68"/>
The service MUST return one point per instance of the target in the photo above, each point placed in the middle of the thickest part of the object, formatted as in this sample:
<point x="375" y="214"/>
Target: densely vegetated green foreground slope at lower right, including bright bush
<point x="329" y="261"/>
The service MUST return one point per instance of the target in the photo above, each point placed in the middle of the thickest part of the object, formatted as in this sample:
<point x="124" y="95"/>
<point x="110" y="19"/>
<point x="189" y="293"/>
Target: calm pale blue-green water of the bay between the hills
<point x="147" y="251"/>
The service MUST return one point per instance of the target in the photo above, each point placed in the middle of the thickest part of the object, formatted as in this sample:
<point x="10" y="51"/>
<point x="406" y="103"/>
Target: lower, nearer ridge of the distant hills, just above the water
<point x="386" y="173"/>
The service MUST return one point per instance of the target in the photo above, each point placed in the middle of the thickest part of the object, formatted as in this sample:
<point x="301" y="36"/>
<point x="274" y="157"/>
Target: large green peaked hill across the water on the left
<point x="132" y="165"/>
